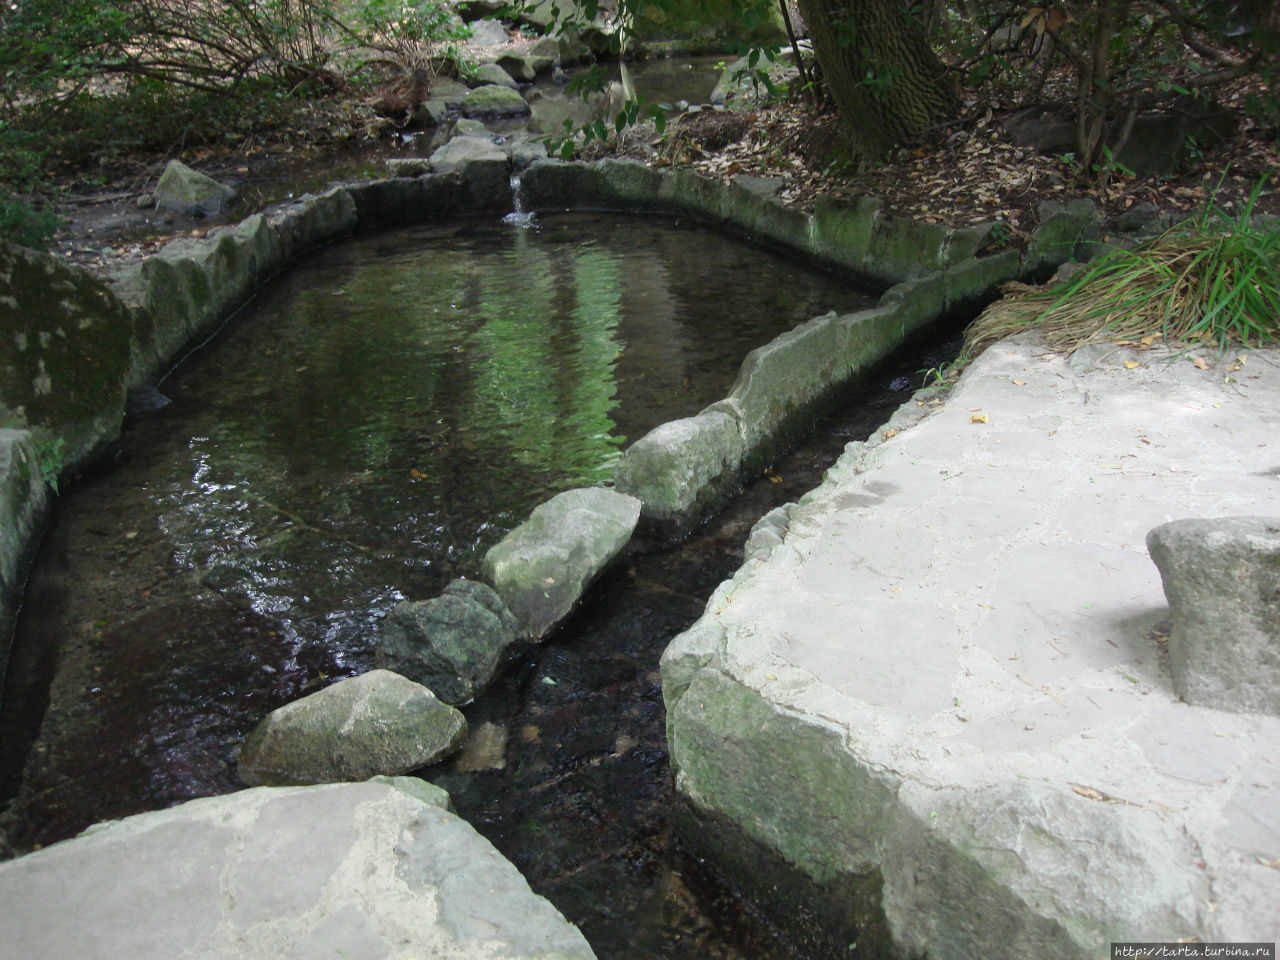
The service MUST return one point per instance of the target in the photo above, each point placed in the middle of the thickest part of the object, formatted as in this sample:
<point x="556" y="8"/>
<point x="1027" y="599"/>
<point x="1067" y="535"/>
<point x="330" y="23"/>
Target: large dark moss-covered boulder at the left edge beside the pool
<point x="65" y="356"/>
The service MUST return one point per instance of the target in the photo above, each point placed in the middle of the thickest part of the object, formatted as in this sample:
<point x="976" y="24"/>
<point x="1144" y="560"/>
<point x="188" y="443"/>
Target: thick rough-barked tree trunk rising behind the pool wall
<point x="880" y="71"/>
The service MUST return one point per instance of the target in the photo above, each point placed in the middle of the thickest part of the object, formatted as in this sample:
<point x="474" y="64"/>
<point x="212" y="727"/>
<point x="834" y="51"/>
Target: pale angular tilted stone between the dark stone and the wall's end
<point x="542" y="568"/>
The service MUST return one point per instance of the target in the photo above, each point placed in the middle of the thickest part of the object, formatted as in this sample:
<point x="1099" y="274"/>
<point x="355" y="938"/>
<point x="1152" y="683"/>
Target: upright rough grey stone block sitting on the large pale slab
<point x="1223" y="583"/>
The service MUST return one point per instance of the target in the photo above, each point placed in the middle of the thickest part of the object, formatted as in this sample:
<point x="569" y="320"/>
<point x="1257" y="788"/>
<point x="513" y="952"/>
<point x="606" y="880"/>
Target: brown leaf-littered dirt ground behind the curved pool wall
<point x="973" y="172"/>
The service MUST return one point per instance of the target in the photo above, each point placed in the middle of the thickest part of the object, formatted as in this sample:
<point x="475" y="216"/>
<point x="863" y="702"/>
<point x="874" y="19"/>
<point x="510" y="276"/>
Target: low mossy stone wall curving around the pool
<point x="682" y="472"/>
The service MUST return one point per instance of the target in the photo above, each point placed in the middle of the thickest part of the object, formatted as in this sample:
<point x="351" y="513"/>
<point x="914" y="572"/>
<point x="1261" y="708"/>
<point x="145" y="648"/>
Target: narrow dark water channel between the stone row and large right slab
<point x="566" y="771"/>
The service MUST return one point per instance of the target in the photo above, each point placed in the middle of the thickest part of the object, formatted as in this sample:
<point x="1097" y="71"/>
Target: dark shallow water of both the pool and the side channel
<point x="363" y="433"/>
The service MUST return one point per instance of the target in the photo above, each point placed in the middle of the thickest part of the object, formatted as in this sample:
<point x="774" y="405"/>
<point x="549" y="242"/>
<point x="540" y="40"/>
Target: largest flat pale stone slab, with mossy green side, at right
<point x="944" y="675"/>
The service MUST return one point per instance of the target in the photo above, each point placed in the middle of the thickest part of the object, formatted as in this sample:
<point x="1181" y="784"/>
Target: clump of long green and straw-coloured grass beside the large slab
<point x="1213" y="278"/>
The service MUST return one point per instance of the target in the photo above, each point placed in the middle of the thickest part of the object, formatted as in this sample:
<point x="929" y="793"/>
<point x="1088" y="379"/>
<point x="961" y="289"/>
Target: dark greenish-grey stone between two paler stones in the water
<point x="452" y="644"/>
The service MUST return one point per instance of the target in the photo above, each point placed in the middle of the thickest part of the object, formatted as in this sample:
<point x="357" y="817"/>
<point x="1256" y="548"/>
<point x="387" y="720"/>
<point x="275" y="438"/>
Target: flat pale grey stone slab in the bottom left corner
<point x="369" y="871"/>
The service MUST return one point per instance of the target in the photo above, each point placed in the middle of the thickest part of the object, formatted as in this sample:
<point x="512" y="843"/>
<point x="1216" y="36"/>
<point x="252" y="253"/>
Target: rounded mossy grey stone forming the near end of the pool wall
<point x="679" y="470"/>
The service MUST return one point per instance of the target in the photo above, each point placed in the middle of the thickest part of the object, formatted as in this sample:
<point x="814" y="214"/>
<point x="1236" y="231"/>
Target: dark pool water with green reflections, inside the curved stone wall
<point x="364" y="432"/>
